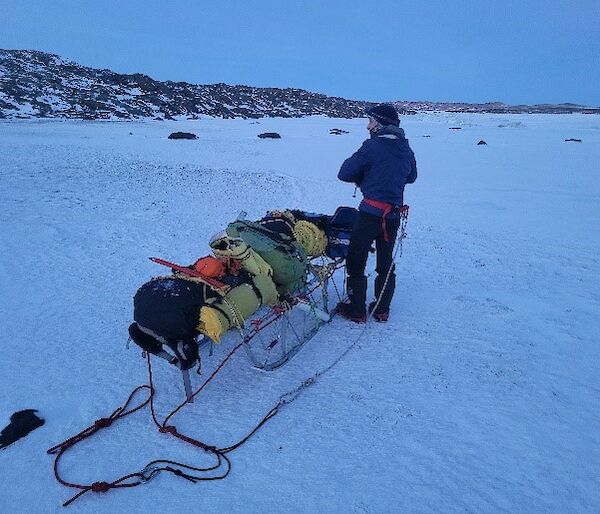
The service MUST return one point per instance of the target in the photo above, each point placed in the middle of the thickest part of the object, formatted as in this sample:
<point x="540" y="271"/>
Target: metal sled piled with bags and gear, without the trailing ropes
<point x="266" y="284"/>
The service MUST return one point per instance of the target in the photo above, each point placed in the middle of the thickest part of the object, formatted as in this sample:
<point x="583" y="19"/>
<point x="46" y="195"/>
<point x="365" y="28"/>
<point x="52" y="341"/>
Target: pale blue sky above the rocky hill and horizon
<point x="527" y="51"/>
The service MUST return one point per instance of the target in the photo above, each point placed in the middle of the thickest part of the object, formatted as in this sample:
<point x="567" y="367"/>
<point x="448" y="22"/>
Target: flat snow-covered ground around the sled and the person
<point x="480" y="395"/>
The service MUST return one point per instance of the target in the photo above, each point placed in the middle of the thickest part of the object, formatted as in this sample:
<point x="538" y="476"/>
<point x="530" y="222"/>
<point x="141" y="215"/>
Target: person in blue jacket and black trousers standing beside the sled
<point x="381" y="168"/>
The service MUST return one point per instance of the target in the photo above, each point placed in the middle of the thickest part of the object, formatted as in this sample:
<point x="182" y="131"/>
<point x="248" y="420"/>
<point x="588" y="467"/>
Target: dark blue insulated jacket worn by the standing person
<point x="381" y="168"/>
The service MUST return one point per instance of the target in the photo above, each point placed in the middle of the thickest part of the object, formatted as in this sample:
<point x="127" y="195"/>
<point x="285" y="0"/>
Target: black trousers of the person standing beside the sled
<point x="368" y="228"/>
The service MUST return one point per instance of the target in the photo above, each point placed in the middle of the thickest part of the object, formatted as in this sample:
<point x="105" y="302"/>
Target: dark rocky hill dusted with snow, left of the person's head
<point x="41" y="85"/>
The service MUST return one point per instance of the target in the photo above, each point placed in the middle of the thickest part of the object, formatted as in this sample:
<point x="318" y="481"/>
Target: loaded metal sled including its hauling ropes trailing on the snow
<point x="265" y="288"/>
